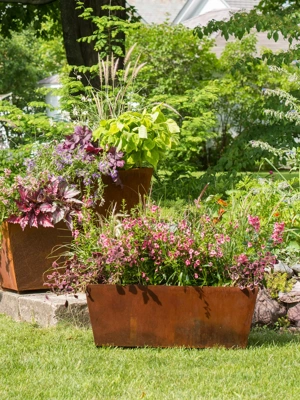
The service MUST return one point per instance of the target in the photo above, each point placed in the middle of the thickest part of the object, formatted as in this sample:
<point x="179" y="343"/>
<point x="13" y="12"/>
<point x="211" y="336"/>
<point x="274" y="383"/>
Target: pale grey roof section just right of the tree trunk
<point x="157" y="11"/>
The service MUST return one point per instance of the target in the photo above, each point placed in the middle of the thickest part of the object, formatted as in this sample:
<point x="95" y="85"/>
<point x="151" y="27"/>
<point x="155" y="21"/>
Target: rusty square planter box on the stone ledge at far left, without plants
<point x="24" y="255"/>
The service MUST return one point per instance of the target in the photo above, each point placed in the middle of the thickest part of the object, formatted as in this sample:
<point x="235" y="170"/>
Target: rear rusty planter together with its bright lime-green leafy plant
<point x="144" y="137"/>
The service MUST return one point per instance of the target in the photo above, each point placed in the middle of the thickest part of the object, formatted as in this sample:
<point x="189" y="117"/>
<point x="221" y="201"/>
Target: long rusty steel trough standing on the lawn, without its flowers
<point x="170" y="316"/>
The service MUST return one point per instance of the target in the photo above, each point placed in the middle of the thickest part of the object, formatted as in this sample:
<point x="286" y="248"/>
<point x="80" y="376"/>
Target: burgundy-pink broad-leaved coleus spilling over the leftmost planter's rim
<point x="46" y="206"/>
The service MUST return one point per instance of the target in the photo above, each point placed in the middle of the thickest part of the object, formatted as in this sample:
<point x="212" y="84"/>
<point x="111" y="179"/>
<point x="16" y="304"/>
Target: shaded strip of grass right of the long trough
<point x="261" y="337"/>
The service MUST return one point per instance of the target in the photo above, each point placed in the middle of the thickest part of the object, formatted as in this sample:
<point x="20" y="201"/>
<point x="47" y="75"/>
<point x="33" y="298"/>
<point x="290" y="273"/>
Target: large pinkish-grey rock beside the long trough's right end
<point x="267" y="310"/>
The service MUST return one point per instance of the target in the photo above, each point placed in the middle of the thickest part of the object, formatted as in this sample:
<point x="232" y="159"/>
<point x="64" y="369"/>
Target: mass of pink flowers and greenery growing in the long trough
<point x="191" y="249"/>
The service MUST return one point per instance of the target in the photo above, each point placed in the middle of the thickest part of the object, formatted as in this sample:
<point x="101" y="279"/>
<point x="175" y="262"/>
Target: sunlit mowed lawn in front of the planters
<point x="63" y="363"/>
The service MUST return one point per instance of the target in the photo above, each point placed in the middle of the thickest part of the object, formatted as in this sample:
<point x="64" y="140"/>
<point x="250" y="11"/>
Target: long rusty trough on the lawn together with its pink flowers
<point x="159" y="281"/>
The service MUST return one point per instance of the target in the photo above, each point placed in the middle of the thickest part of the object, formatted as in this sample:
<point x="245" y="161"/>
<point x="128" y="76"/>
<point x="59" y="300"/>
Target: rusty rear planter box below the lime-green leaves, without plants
<point x="136" y="184"/>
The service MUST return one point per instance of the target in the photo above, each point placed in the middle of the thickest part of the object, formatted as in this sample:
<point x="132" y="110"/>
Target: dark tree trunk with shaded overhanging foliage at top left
<point x="15" y="15"/>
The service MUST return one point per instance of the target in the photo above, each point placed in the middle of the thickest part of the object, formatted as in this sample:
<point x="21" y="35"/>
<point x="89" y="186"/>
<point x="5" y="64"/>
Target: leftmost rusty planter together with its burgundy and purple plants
<point x="51" y="193"/>
